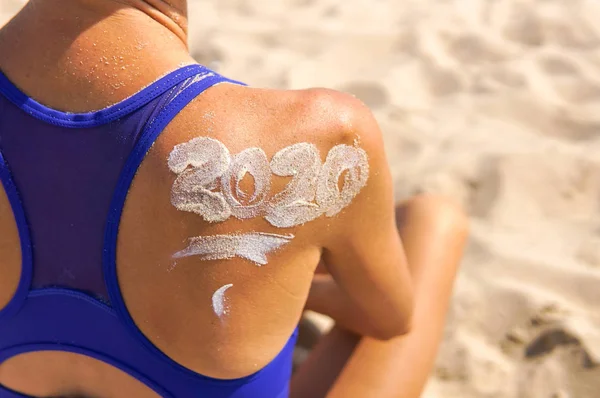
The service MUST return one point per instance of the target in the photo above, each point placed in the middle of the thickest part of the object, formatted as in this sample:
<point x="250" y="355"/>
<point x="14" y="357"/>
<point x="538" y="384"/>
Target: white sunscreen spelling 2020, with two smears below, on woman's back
<point x="208" y="184"/>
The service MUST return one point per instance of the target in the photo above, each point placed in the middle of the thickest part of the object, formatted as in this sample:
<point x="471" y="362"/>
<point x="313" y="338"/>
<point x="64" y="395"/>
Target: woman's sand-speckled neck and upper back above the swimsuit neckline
<point x="93" y="52"/>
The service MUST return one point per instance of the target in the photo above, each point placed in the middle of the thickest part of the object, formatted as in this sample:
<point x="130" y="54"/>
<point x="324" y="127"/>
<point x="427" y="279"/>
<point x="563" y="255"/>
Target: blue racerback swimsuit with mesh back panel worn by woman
<point x="67" y="176"/>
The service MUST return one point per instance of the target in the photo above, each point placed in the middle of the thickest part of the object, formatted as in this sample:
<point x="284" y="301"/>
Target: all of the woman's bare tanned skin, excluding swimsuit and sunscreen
<point x="386" y="270"/>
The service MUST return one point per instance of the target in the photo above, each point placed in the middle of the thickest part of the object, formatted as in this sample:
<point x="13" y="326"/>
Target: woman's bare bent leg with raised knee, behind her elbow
<point x="343" y="365"/>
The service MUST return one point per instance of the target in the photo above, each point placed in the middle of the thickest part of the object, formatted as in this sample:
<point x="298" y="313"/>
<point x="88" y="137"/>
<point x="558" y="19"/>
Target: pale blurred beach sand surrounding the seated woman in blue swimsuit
<point x="496" y="103"/>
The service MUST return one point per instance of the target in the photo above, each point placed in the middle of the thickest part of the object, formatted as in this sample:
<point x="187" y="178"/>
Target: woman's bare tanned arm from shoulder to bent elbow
<point x="369" y="290"/>
